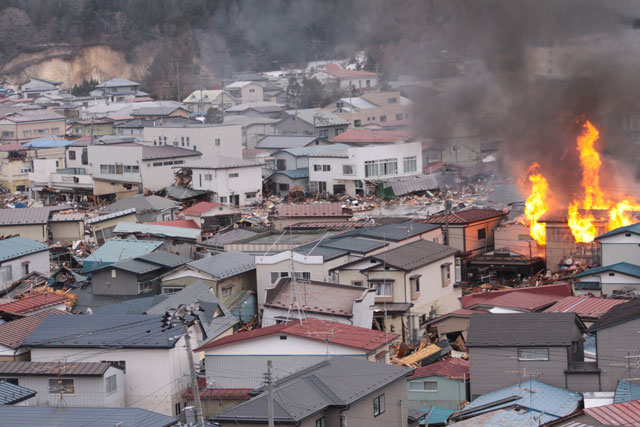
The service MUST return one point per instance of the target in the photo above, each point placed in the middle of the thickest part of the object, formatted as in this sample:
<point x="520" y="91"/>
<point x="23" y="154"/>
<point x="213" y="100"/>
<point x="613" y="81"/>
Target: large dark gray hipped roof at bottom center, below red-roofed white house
<point x="339" y="381"/>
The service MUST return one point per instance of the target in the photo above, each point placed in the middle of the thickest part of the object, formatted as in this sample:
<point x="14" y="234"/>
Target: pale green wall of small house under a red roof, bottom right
<point x="450" y="393"/>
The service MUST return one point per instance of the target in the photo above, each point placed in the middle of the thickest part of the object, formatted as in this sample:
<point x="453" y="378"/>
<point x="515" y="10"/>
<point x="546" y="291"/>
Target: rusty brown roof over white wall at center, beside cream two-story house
<point x="319" y="297"/>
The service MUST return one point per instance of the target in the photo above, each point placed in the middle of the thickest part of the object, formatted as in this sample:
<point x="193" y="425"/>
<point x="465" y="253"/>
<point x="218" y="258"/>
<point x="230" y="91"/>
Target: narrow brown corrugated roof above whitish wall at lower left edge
<point x="54" y="368"/>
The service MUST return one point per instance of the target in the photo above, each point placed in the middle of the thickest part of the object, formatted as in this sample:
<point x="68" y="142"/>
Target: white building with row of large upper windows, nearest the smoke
<point x="346" y="172"/>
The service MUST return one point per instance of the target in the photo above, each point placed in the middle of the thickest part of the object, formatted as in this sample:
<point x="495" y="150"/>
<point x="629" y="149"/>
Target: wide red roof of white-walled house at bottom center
<point x="315" y="329"/>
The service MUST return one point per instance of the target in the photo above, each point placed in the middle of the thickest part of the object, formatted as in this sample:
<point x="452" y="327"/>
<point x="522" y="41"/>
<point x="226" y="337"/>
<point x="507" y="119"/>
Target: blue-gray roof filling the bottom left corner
<point x="81" y="417"/>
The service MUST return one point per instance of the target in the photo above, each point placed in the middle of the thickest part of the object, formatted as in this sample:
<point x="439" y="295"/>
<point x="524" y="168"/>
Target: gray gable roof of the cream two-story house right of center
<point x="415" y="254"/>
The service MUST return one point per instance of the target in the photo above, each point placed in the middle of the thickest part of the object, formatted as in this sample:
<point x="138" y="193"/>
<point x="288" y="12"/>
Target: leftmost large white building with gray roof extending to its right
<point x="132" y="163"/>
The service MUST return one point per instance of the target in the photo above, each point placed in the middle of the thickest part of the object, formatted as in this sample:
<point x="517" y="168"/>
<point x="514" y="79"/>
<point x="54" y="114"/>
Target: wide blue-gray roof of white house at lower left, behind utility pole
<point x="131" y="331"/>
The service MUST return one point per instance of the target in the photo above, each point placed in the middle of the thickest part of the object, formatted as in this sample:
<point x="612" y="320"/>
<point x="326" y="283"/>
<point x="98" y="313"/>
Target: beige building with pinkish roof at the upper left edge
<point x="24" y="126"/>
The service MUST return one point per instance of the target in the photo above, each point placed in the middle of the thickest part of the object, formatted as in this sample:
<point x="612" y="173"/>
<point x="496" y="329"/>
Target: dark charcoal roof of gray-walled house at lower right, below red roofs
<point x="524" y="329"/>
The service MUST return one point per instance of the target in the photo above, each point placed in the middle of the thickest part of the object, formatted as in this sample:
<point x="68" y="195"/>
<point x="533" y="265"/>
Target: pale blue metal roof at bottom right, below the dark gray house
<point x="546" y="401"/>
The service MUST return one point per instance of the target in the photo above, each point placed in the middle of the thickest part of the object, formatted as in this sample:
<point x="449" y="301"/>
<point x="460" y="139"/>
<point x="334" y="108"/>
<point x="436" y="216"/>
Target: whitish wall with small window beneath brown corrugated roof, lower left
<point x="89" y="391"/>
